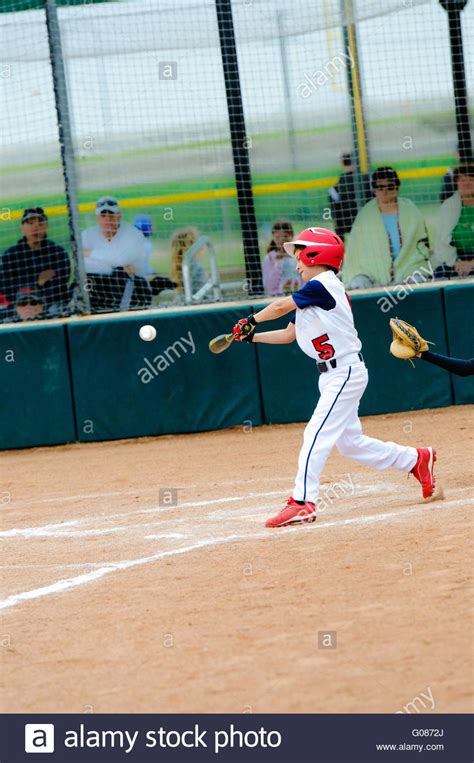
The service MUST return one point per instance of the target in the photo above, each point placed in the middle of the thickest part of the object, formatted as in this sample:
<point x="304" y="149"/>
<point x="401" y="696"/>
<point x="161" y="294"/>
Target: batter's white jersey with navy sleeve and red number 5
<point x="324" y="322"/>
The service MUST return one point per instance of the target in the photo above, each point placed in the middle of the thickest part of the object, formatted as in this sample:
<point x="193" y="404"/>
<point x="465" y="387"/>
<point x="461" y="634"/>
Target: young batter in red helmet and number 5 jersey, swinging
<point x="324" y="329"/>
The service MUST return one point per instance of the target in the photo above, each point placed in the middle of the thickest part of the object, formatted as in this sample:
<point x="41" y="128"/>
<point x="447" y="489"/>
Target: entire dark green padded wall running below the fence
<point x="190" y="391"/>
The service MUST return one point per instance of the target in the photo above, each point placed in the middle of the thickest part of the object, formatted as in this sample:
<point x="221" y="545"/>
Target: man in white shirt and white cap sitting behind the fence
<point x="114" y="260"/>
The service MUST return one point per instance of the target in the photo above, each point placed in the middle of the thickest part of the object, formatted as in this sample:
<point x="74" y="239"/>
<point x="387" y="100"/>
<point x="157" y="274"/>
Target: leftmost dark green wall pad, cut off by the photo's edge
<point x="36" y="405"/>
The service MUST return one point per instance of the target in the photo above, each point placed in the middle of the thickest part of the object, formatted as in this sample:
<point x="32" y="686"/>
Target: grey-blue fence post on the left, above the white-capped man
<point x="82" y="302"/>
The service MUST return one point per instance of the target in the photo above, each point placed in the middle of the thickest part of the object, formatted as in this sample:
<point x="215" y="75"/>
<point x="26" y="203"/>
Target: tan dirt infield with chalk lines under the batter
<point x="116" y="600"/>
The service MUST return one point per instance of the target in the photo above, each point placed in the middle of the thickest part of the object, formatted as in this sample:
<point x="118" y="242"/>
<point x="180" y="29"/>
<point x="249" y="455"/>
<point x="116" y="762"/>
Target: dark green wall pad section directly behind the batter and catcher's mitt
<point x="289" y="378"/>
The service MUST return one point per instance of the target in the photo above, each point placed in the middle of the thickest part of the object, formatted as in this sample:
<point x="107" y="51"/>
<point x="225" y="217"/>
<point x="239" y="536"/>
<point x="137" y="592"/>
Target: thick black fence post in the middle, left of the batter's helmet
<point x="239" y="140"/>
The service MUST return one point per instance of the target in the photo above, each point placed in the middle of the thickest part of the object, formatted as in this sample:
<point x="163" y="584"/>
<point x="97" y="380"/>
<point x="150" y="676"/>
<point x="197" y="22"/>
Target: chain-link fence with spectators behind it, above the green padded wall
<point x="158" y="153"/>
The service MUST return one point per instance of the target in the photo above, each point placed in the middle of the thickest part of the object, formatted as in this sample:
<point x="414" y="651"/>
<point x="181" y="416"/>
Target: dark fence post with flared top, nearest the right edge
<point x="453" y="8"/>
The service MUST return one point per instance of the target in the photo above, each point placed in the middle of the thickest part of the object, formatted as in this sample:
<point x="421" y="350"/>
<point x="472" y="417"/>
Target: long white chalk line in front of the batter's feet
<point x="63" y="585"/>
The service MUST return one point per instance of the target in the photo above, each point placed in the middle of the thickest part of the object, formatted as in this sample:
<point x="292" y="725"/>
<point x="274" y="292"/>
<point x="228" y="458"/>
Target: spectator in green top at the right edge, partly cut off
<point x="454" y="230"/>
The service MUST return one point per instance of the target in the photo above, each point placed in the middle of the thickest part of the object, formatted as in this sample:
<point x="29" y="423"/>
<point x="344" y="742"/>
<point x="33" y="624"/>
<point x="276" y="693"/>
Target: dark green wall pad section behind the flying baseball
<point x="117" y="395"/>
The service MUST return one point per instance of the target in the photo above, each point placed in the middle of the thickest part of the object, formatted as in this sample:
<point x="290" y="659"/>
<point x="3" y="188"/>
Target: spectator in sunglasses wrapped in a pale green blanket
<point x="388" y="242"/>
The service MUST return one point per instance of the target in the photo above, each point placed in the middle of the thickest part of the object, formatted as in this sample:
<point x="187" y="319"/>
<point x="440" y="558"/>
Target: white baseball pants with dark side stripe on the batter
<point x="335" y="421"/>
